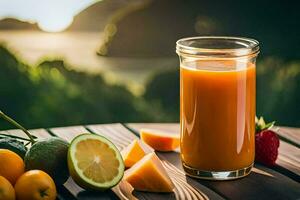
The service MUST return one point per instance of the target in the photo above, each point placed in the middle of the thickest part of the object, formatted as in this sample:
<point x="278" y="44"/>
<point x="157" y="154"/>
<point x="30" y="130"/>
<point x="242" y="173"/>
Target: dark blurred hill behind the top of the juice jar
<point x="154" y="29"/>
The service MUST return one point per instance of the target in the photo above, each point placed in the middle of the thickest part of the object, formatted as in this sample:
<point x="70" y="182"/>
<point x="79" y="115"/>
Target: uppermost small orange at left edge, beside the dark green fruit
<point x="11" y="165"/>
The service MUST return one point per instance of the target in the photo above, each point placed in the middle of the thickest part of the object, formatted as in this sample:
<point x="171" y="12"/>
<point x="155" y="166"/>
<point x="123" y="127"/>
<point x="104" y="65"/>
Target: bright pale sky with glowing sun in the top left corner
<point x="50" y="15"/>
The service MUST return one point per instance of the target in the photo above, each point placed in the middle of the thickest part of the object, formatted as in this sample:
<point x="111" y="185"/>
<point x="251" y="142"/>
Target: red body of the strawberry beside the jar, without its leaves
<point x="266" y="147"/>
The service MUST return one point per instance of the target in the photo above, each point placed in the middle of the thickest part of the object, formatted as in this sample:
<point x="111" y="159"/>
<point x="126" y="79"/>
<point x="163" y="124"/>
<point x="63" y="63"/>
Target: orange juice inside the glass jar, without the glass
<point x="217" y="117"/>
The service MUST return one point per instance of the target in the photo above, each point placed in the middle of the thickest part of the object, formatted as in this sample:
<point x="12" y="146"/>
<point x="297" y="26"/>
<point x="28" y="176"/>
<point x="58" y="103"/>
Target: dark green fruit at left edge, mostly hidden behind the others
<point x="13" y="145"/>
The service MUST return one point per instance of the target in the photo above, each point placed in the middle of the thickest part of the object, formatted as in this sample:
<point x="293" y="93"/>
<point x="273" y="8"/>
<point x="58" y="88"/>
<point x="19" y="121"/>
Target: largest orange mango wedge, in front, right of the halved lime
<point x="149" y="175"/>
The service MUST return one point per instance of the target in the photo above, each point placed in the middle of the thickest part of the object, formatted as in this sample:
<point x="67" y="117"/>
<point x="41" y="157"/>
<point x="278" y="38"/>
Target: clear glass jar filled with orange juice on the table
<point x="217" y="106"/>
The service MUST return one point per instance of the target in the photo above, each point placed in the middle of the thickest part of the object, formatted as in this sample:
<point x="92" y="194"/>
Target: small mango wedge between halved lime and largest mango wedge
<point x="135" y="152"/>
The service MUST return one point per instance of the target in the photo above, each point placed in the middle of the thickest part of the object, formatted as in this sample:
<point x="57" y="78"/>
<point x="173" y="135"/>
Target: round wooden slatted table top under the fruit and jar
<point x="279" y="182"/>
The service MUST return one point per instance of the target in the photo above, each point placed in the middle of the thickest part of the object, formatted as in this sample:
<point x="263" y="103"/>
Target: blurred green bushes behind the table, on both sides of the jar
<point x="51" y="94"/>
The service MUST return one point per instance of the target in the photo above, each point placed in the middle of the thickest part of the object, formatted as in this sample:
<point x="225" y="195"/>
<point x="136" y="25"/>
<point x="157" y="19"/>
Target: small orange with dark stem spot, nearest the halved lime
<point x="35" y="185"/>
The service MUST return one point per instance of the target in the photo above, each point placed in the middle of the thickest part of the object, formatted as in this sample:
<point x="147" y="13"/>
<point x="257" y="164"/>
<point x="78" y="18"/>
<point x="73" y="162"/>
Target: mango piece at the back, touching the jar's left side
<point x="160" y="140"/>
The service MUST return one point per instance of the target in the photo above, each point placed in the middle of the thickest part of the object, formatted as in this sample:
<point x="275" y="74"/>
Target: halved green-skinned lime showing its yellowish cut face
<point x="94" y="162"/>
